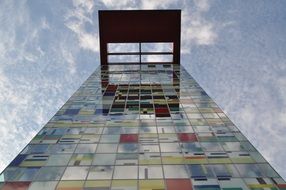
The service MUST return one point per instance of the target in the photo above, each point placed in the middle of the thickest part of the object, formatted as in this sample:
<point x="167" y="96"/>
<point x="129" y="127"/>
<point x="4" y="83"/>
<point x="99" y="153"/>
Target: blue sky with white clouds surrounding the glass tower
<point x="234" y="49"/>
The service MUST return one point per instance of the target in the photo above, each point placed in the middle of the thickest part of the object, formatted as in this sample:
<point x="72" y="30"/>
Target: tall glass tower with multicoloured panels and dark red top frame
<point x="140" y="121"/>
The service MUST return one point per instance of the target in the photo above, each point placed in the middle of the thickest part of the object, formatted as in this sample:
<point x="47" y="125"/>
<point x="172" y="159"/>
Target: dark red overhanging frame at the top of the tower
<point x="139" y="26"/>
